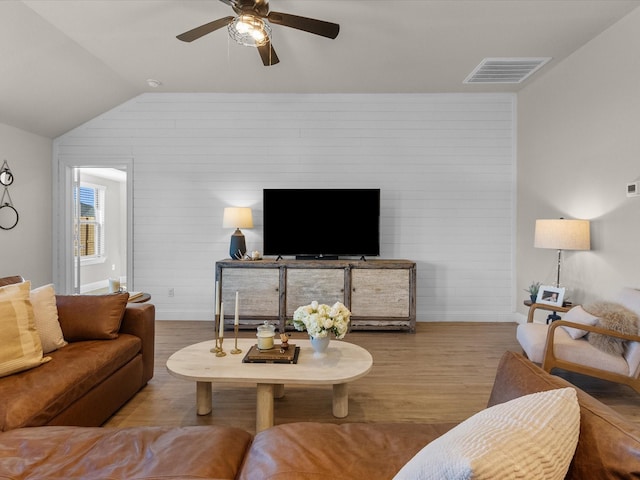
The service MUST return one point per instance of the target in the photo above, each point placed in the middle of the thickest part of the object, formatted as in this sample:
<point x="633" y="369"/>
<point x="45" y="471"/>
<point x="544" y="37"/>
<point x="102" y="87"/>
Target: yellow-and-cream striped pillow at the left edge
<point x="20" y="347"/>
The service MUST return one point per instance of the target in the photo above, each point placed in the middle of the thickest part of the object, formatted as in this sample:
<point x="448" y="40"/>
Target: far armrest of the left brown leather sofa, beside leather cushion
<point x="140" y="320"/>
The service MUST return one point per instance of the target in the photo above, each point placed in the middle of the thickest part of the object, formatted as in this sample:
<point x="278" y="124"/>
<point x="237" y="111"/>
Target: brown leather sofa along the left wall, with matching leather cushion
<point x="90" y="378"/>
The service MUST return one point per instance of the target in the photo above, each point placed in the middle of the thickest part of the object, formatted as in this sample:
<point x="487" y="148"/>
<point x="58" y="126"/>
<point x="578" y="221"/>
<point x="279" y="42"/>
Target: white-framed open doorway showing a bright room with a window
<point x="93" y="237"/>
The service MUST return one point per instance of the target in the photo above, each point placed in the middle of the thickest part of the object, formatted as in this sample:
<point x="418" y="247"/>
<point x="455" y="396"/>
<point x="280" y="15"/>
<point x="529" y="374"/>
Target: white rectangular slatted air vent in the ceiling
<point x="505" y="70"/>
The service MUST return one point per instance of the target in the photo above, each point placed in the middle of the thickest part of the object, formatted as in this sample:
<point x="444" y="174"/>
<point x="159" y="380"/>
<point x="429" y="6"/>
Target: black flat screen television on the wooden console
<point x="321" y="223"/>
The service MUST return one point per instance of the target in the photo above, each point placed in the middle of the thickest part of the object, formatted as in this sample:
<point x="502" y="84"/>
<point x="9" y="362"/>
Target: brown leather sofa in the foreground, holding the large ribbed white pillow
<point x="608" y="447"/>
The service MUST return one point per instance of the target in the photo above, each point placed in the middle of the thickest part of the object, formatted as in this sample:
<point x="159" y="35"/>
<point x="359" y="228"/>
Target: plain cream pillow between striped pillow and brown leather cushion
<point x="45" y="313"/>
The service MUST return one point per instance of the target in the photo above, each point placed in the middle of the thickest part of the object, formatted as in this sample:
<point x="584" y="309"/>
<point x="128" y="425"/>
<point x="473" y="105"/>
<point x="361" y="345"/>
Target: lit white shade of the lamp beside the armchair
<point x="562" y="234"/>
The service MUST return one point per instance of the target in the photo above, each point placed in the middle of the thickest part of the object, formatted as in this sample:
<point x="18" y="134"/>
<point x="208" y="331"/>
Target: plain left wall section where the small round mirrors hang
<point x="26" y="249"/>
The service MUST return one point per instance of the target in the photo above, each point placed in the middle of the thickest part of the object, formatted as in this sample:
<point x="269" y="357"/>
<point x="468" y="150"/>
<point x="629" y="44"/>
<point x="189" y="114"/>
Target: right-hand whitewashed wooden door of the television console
<point x="380" y="293"/>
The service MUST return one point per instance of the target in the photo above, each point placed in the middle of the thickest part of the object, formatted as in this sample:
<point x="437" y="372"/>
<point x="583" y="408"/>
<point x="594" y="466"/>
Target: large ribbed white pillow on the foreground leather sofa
<point x="531" y="437"/>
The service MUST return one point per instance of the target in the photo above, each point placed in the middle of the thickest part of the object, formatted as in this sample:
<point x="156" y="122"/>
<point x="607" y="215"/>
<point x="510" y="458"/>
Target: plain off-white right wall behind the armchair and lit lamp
<point x="578" y="146"/>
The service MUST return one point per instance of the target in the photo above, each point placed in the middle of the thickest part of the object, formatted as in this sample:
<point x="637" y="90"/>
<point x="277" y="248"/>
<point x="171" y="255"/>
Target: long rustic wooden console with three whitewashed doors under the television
<point x="381" y="294"/>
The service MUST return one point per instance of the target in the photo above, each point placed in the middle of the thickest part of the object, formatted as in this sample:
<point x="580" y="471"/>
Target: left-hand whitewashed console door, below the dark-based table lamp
<point x="258" y="290"/>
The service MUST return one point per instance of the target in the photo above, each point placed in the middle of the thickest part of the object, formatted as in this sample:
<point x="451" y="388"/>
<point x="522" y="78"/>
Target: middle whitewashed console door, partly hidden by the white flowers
<point x="305" y="285"/>
